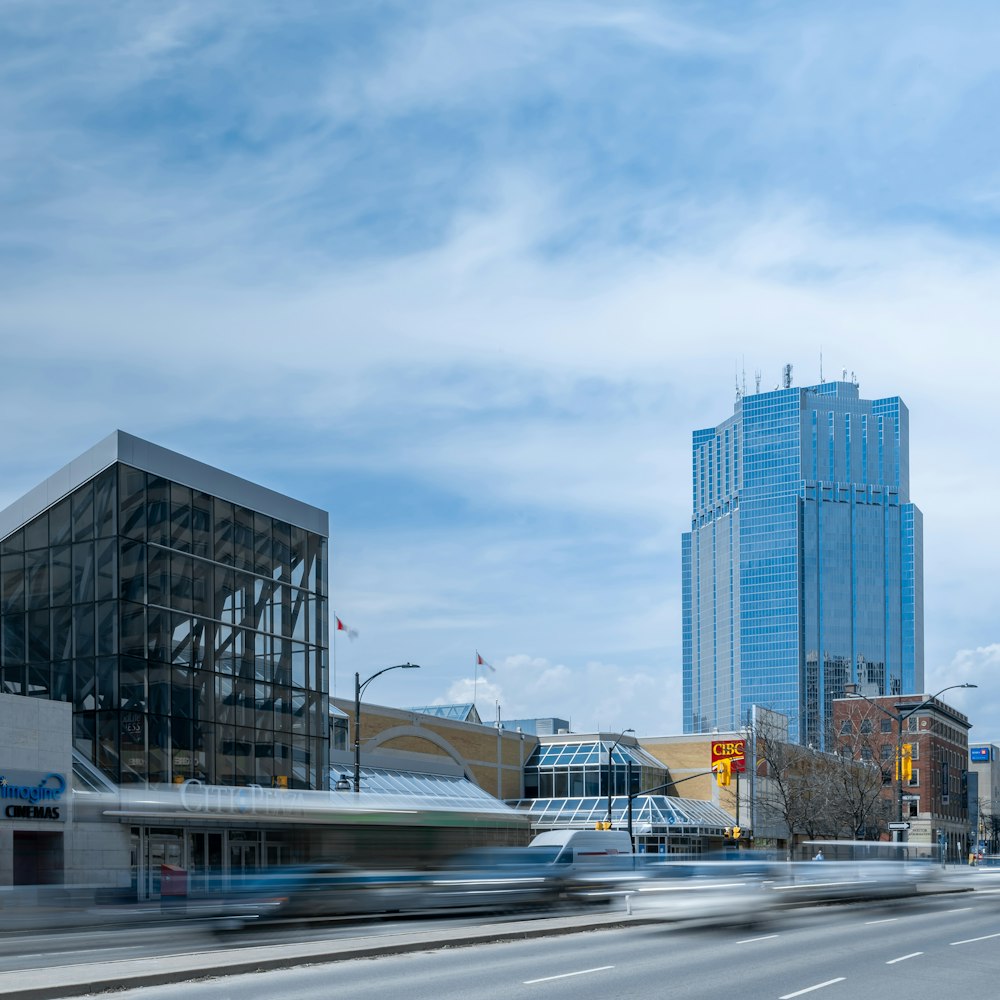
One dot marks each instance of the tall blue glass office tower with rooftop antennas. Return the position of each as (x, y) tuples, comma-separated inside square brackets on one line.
[(803, 568)]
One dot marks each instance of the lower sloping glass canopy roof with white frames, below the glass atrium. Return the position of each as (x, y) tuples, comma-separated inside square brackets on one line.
[(652, 812)]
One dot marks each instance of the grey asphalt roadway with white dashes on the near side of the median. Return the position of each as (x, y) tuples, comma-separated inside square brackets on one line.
[(858, 952)]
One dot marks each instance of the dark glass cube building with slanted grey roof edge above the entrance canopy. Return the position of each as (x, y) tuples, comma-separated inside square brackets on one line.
[(180, 609)]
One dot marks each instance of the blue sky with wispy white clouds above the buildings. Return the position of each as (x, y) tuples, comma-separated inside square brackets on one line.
[(467, 276)]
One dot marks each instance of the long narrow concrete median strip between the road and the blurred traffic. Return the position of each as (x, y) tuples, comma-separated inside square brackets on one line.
[(102, 975)]
